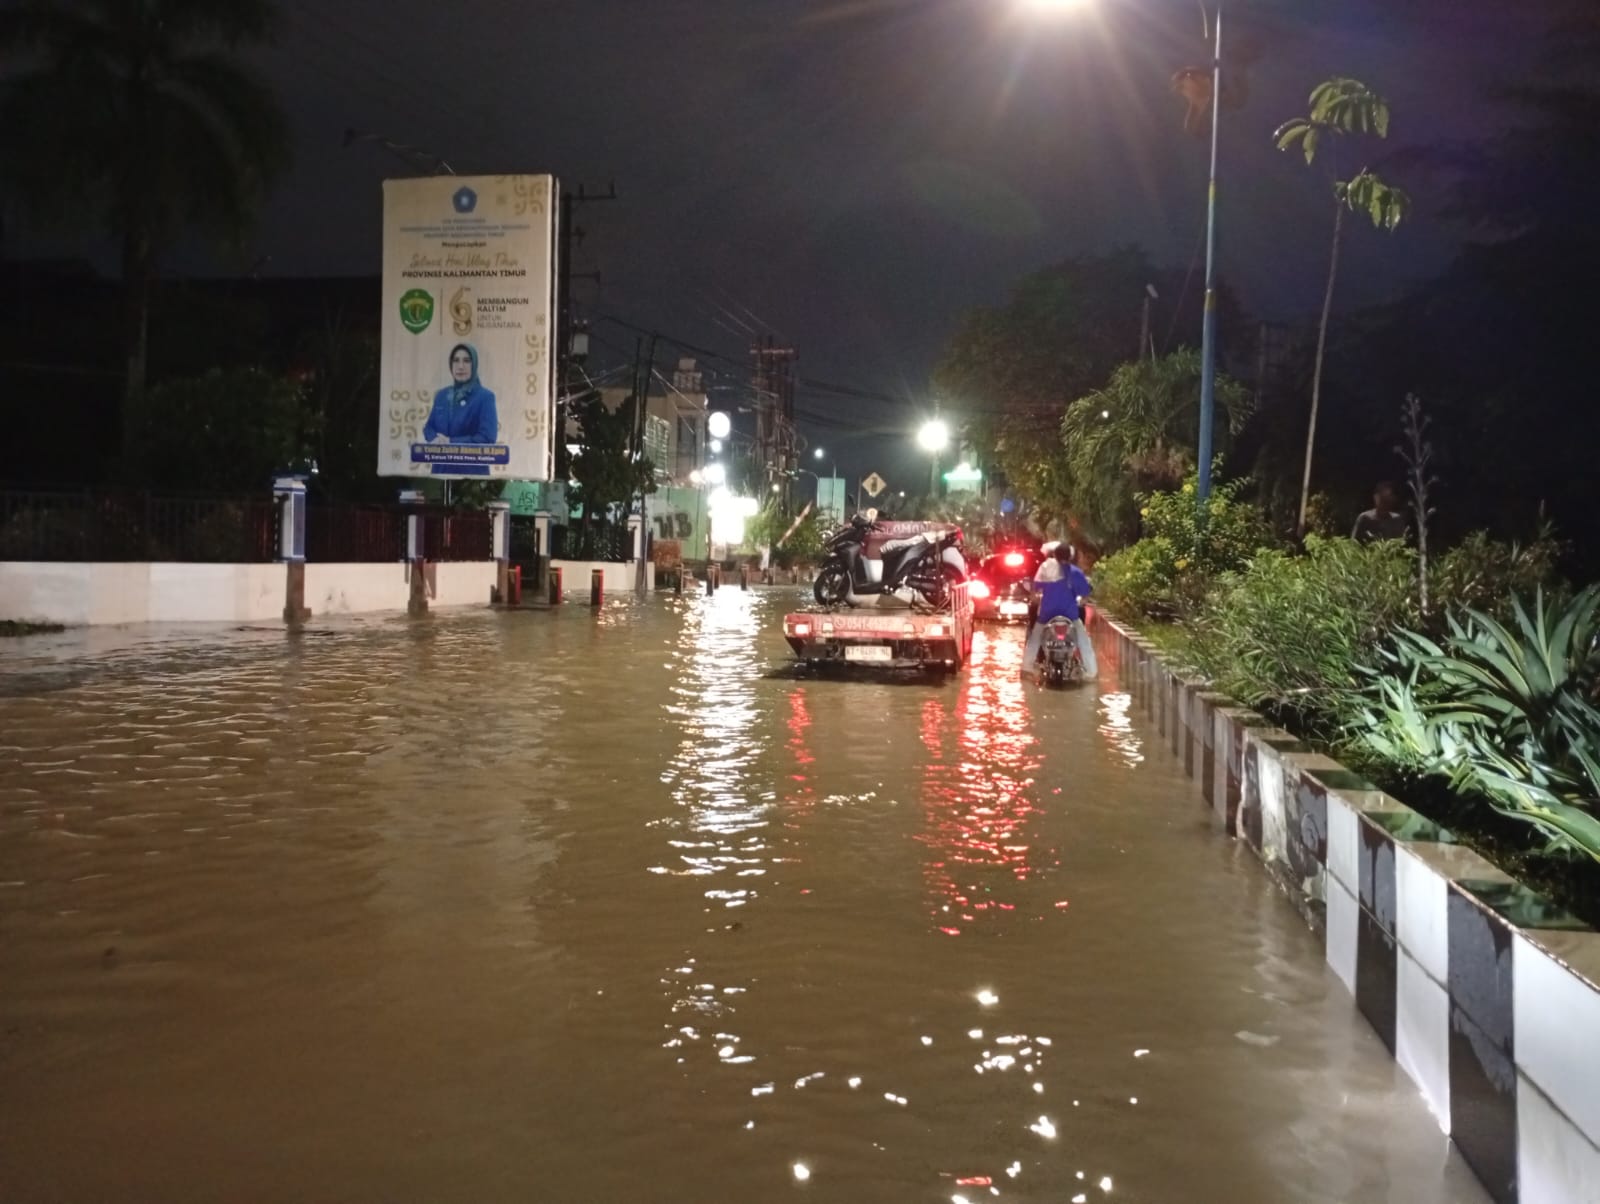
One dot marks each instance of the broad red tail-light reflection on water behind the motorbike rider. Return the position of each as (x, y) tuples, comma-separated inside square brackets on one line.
[(978, 806)]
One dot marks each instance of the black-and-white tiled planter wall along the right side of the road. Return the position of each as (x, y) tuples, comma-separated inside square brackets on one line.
[(1487, 995)]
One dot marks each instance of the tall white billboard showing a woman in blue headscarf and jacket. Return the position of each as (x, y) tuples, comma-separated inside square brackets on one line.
[(468, 377)]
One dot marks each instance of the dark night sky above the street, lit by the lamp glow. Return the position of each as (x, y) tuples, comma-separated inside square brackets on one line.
[(852, 175)]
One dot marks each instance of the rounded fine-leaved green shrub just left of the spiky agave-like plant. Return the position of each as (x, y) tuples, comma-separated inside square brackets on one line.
[(1292, 633)]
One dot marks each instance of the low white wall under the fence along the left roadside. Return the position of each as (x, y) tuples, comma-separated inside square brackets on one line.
[(90, 595)]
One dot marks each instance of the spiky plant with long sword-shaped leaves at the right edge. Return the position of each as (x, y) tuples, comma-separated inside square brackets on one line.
[(1506, 713)]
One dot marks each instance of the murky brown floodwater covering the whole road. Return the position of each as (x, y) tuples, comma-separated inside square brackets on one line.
[(559, 907)]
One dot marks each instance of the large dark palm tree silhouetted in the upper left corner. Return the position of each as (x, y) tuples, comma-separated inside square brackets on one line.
[(134, 118)]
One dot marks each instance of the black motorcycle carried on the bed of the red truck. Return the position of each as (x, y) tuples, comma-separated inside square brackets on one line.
[(911, 564)]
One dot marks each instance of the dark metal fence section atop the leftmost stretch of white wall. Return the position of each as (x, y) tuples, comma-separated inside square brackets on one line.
[(137, 526)]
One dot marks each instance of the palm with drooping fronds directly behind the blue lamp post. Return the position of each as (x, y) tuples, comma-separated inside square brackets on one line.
[(1140, 435)]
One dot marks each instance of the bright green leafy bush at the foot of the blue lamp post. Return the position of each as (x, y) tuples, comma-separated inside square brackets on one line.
[(1167, 574)]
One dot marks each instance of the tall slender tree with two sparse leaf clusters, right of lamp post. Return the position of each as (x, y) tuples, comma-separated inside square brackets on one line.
[(1340, 106)]
